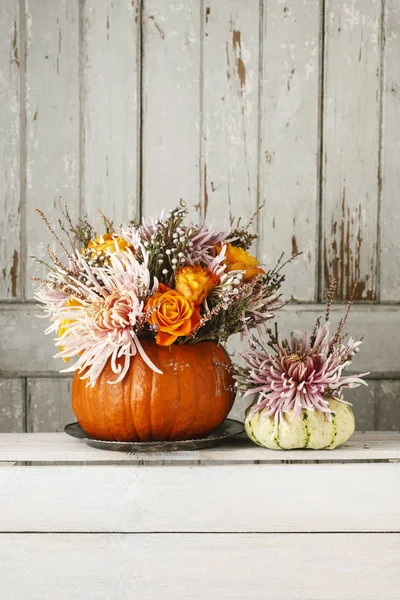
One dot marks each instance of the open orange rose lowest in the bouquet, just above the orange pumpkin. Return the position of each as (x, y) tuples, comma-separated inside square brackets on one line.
[(175, 316)]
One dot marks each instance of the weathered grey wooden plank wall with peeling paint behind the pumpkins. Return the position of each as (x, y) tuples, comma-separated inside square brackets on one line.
[(130, 105)]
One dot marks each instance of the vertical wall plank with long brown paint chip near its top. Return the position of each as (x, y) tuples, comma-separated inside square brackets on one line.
[(230, 110)]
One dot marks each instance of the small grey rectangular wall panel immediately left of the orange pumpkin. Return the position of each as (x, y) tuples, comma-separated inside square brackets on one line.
[(49, 404)]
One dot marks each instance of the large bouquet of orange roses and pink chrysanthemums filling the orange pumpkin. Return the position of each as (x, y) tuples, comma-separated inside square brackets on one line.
[(165, 279)]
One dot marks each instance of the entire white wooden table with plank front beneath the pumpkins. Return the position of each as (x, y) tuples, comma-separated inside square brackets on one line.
[(232, 522)]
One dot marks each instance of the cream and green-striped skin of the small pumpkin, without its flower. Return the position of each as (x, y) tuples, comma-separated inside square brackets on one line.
[(314, 430)]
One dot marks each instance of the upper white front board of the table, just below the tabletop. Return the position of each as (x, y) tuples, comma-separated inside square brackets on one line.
[(203, 498)]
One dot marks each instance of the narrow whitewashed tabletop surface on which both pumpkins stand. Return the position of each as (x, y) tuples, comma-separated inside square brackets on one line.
[(56, 447)]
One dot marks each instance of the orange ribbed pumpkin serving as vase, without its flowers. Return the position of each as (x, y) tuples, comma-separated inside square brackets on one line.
[(191, 398)]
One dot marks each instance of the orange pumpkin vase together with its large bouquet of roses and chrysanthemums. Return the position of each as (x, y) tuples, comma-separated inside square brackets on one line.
[(144, 310)]
